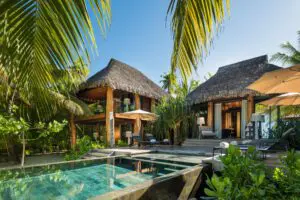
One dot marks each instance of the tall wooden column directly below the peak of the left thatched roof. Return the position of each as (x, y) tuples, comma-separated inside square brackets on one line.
[(109, 108)]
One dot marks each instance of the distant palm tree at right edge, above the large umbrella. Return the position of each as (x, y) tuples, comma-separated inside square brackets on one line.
[(292, 55)]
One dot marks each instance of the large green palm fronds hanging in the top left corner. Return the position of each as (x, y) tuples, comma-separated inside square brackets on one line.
[(39, 37)]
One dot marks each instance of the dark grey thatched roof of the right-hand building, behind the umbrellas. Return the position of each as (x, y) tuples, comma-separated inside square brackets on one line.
[(231, 81)]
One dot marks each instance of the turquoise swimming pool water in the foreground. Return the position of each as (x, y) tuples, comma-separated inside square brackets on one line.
[(81, 179)]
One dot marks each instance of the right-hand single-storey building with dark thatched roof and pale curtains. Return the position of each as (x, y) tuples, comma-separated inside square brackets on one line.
[(224, 102)]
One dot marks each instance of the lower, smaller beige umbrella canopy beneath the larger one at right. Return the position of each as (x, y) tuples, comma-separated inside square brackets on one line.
[(289, 99)]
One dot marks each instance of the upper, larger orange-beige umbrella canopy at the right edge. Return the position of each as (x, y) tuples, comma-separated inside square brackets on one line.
[(279, 81)]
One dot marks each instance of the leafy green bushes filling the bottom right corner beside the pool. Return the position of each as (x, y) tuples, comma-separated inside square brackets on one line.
[(245, 177)]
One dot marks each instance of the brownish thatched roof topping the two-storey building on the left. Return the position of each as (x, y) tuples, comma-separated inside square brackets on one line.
[(121, 76)]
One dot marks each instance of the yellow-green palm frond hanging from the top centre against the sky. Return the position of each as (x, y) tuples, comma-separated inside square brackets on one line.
[(194, 23)]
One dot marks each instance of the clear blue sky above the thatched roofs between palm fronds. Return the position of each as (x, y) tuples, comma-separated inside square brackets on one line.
[(140, 36)]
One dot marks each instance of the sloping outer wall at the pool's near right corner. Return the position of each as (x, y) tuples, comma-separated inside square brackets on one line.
[(178, 185)]
